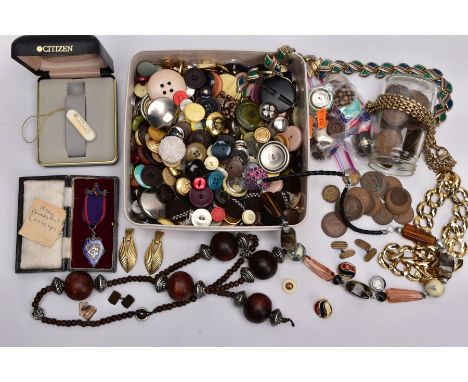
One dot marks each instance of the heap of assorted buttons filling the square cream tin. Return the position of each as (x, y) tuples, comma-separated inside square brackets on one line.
[(204, 138)]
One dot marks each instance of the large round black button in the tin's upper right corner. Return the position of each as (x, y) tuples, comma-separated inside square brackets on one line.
[(280, 92)]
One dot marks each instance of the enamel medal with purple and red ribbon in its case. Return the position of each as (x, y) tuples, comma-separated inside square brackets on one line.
[(94, 211)]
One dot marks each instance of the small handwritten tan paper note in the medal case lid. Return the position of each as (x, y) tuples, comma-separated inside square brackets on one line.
[(43, 223)]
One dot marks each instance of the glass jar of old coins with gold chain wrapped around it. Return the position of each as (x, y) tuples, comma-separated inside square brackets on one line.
[(397, 138)]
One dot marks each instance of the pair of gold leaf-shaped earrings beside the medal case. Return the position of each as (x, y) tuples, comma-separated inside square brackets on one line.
[(153, 255)]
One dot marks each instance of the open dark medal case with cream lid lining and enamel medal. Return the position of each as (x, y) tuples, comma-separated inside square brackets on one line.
[(90, 203)]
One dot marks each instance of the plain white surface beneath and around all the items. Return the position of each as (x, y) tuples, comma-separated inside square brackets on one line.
[(214, 320)]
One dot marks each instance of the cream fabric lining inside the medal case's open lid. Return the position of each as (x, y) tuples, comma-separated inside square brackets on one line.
[(33, 255)]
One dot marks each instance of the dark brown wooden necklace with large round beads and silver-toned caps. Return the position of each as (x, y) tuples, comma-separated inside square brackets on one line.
[(224, 246)]
